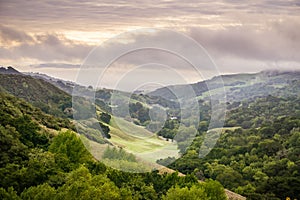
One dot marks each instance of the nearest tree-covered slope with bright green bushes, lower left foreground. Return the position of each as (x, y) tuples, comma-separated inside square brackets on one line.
[(42, 158)]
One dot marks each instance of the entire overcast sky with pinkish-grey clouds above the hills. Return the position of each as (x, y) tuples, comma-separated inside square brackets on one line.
[(56, 37)]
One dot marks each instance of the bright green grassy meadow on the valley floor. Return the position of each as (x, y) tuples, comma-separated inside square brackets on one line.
[(145, 145)]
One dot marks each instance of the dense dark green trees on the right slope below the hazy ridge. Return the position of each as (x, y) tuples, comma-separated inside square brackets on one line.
[(259, 156)]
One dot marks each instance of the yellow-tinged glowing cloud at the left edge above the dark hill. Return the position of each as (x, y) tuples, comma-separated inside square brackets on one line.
[(46, 47)]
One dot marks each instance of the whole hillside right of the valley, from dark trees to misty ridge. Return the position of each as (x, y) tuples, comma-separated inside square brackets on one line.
[(259, 146)]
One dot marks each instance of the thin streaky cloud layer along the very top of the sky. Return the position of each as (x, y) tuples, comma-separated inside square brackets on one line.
[(114, 15)]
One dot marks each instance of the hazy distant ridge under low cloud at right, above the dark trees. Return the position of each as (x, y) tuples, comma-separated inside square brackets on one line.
[(237, 86)]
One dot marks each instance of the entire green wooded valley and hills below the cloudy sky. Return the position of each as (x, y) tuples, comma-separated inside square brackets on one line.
[(257, 154)]
